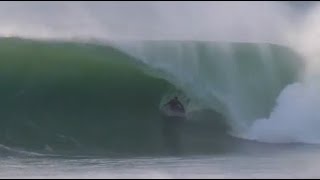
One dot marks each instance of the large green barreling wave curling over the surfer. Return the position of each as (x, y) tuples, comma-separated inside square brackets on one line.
[(61, 95)]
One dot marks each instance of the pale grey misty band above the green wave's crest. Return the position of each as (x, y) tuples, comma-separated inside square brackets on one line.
[(214, 21)]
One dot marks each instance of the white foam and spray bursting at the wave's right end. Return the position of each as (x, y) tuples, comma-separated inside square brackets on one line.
[(296, 116)]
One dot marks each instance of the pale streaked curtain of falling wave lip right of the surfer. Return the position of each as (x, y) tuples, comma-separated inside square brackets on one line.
[(238, 80)]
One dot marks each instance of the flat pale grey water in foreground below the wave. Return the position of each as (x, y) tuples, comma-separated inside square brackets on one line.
[(276, 162)]
